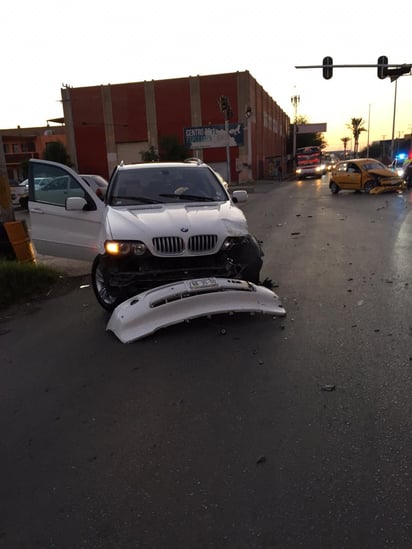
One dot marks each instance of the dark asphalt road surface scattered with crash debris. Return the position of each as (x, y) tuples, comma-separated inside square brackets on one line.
[(237, 432)]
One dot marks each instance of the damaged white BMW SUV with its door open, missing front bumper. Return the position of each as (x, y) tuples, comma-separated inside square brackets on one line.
[(160, 223)]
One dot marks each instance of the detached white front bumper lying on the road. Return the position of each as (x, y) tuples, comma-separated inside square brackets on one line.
[(171, 304)]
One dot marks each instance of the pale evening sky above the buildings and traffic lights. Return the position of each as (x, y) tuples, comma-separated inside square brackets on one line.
[(47, 44)]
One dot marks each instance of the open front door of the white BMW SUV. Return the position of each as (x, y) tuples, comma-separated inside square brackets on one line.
[(65, 214)]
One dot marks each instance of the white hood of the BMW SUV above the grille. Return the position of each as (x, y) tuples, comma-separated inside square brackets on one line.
[(139, 222)]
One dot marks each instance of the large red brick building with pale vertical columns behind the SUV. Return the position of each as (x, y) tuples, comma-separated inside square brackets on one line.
[(110, 123)]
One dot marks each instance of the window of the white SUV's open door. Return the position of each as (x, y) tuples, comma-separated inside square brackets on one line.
[(58, 187)]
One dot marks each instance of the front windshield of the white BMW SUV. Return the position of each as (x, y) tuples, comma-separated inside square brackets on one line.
[(169, 184)]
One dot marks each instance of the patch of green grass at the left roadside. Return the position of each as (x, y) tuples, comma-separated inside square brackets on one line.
[(19, 281)]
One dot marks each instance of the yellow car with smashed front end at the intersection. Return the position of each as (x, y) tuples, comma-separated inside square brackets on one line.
[(364, 174)]
